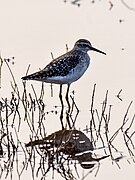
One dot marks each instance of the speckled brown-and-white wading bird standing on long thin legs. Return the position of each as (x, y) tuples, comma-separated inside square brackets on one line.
[(68, 67)]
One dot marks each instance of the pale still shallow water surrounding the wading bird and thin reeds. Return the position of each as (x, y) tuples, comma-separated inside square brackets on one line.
[(108, 123)]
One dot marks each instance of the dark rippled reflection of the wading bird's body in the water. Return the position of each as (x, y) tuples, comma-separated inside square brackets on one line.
[(73, 143)]
